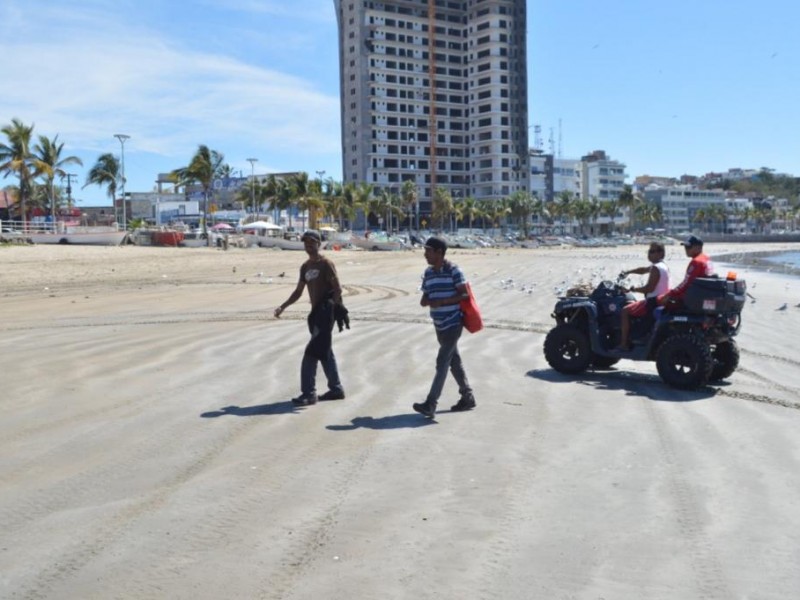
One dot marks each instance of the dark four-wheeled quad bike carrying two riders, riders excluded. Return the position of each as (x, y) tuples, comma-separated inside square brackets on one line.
[(691, 344)]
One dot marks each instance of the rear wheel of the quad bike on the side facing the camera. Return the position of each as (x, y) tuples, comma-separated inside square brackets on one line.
[(684, 361)]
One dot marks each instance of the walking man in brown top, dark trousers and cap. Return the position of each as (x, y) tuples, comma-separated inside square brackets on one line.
[(318, 273)]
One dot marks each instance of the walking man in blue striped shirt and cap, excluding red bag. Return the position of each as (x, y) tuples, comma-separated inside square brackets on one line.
[(443, 288)]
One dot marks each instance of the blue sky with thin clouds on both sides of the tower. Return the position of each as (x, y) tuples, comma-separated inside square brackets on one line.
[(667, 88)]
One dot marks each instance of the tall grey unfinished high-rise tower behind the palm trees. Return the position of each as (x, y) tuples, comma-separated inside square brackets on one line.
[(435, 91)]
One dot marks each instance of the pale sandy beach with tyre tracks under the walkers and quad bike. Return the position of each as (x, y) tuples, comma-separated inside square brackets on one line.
[(148, 448)]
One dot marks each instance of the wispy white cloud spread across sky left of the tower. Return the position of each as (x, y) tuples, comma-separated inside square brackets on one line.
[(86, 75)]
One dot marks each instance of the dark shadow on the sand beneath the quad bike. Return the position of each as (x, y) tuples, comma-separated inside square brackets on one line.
[(633, 384)]
